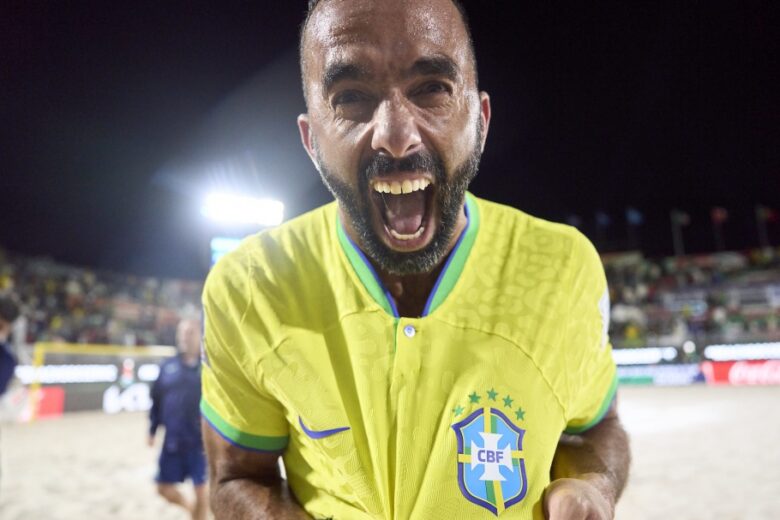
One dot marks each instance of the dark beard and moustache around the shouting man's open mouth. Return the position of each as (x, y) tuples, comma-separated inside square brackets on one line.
[(449, 197)]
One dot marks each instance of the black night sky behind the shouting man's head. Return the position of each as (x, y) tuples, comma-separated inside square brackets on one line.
[(116, 119)]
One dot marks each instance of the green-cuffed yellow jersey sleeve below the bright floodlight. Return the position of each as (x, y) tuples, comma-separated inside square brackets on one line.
[(234, 400)]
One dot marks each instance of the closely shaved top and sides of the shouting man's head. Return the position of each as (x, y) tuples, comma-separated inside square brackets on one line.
[(432, 16)]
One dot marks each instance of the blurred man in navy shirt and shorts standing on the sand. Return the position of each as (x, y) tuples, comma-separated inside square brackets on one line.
[(175, 397)]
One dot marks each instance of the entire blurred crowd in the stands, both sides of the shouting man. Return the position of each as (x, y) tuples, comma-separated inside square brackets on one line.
[(731, 297)]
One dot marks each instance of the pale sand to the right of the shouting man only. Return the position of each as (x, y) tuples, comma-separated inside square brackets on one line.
[(702, 453)]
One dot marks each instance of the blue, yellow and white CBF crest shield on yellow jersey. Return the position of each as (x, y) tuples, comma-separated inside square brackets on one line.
[(491, 466)]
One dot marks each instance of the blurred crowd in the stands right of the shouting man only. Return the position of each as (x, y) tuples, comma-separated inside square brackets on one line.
[(731, 297)]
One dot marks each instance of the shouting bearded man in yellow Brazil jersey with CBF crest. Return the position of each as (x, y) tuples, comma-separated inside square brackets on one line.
[(411, 351)]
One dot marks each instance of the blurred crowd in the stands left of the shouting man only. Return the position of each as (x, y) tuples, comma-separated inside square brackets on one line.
[(71, 304)]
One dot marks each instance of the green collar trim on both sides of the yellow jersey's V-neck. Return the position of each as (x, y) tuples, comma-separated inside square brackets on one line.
[(448, 277)]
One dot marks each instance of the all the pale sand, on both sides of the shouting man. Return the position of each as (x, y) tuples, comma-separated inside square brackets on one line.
[(700, 453)]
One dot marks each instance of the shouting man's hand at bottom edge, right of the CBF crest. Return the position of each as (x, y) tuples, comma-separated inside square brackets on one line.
[(576, 499)]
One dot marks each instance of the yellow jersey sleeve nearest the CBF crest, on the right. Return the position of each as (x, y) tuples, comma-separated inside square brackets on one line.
[(591, 371)]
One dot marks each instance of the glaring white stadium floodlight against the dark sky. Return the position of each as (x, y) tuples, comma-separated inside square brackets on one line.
[(239, 209)]
